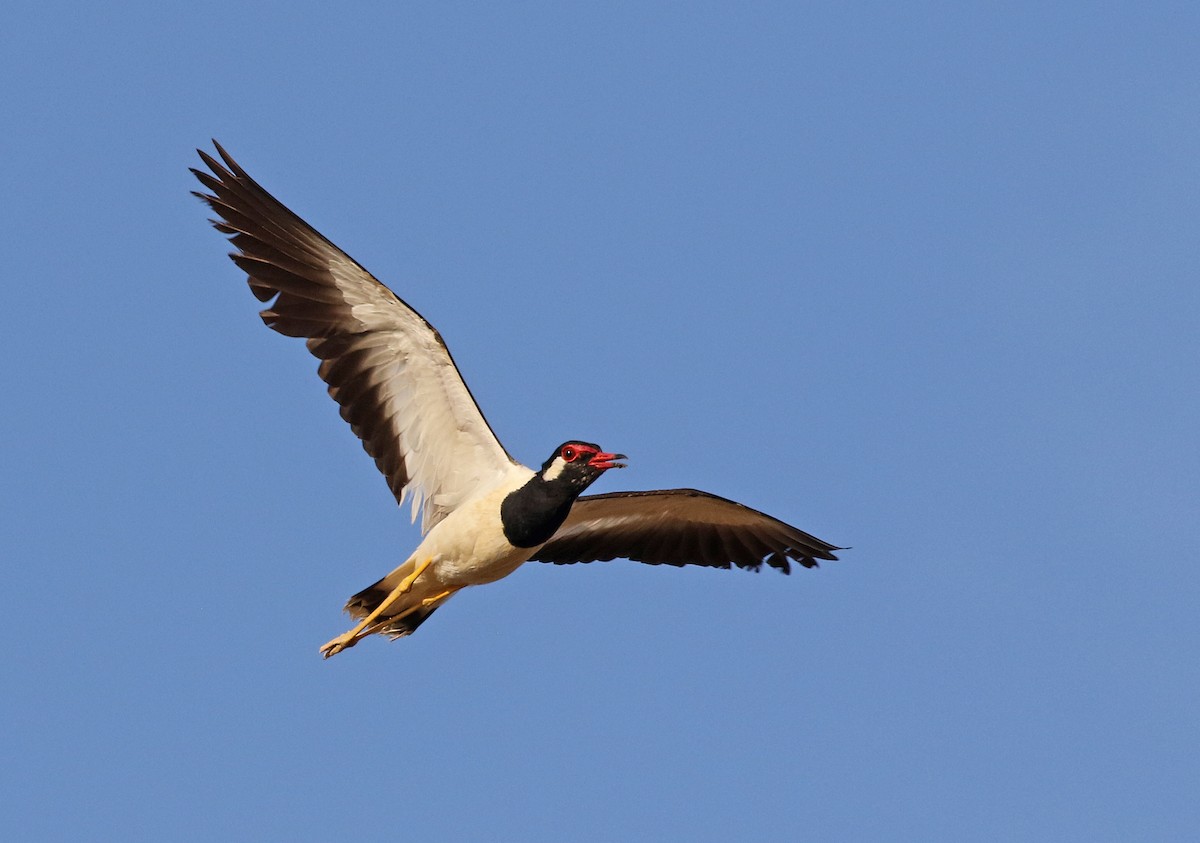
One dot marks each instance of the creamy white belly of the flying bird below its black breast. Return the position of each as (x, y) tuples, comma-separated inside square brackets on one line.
[(469, 547)]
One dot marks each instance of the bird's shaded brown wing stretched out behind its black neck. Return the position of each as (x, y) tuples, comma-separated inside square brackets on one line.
[(680, 527)]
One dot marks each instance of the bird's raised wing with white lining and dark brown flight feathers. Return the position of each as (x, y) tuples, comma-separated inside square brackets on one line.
[(386, 366)]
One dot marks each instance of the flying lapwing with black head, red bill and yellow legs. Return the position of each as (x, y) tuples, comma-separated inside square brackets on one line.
[(483, 513)]
